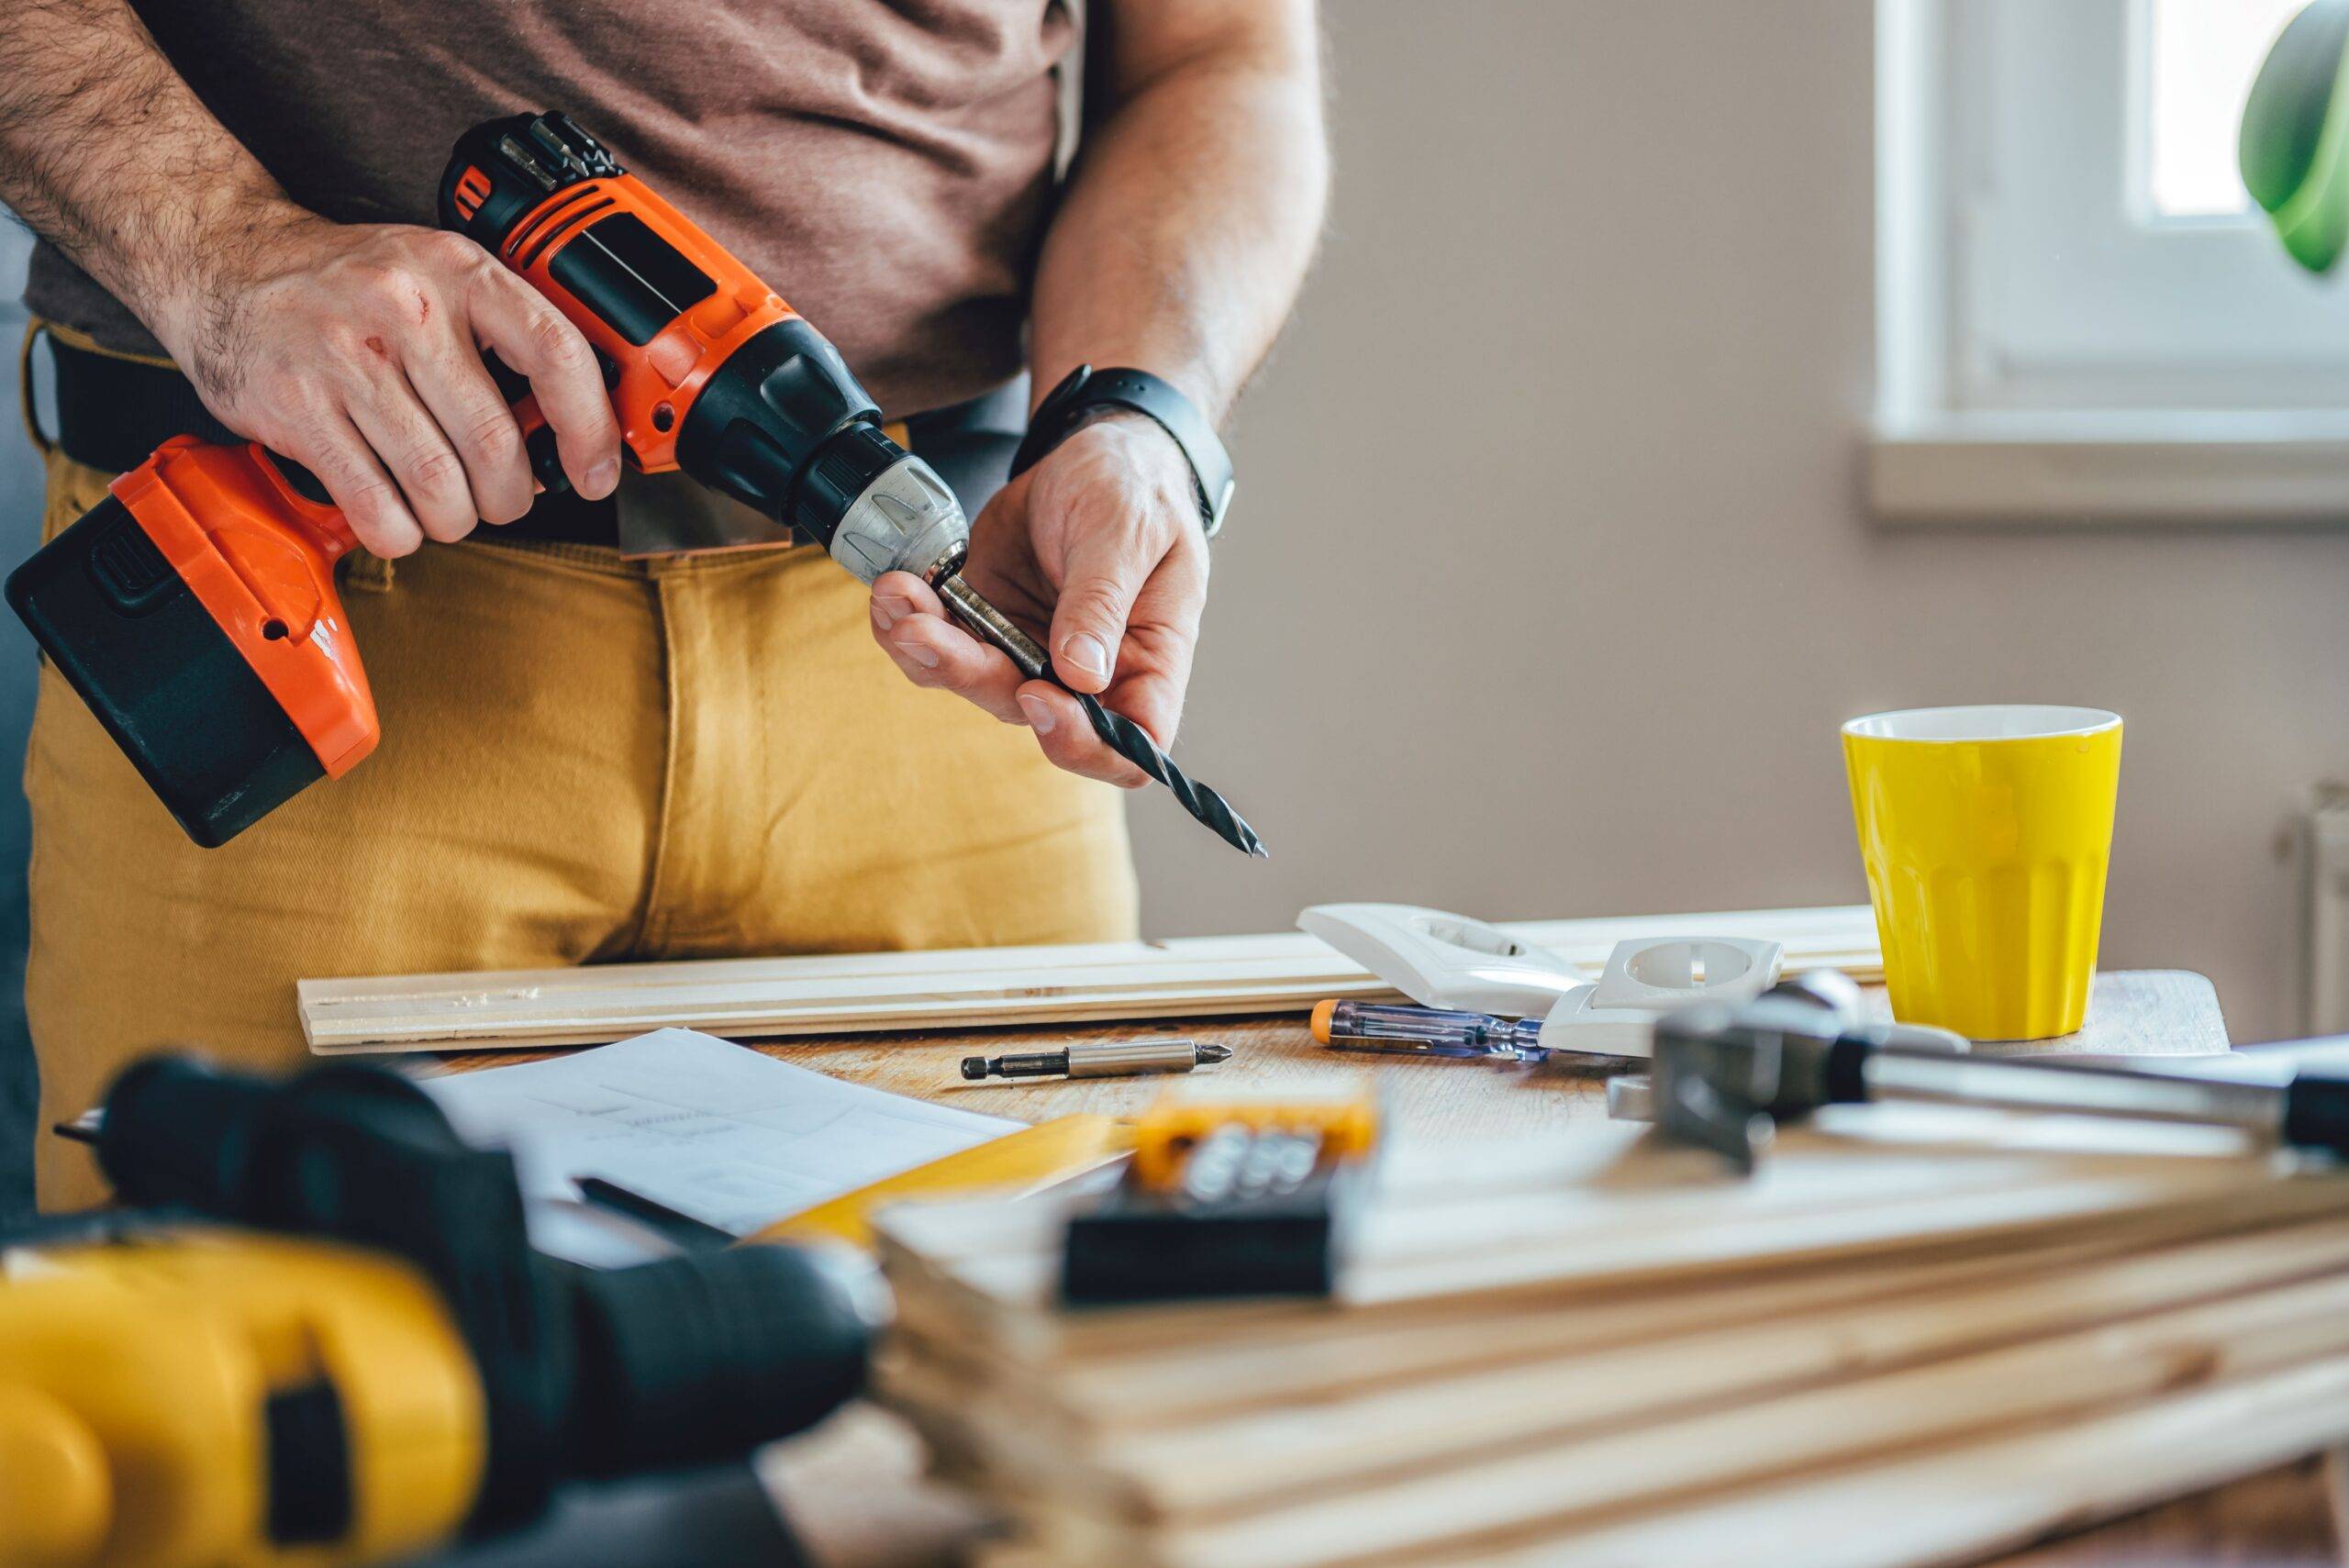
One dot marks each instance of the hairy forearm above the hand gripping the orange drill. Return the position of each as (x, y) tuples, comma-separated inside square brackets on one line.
[(114, 158)]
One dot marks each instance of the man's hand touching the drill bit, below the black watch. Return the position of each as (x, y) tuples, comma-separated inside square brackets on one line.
[(1098, 550)]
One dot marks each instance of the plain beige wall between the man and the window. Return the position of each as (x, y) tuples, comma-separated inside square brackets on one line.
[(1549, 579)]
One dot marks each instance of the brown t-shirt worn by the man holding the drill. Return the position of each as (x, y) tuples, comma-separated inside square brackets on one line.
[(884, 168)]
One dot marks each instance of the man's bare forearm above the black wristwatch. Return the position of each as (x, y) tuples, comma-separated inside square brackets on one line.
[(1194, 203)]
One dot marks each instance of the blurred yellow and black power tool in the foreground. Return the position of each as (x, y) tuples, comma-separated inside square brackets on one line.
[(328, 1341)]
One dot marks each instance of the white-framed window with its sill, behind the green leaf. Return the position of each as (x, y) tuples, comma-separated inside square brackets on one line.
[(2080, 311)]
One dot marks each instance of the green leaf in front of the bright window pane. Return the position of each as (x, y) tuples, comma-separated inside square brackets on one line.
[(2296, 130)]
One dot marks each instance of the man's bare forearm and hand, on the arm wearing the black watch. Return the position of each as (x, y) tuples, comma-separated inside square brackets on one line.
[(1178, 245)]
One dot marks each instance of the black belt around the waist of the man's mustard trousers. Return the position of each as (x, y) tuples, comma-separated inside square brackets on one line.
[(112, 412)]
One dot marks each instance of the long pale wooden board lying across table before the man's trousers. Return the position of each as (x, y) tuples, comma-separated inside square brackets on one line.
[(962, 987)]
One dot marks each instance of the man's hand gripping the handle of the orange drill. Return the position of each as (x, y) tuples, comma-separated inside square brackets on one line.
[(358, 353)]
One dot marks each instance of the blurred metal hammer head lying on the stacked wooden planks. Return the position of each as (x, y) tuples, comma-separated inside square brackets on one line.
[(1728, 1076)]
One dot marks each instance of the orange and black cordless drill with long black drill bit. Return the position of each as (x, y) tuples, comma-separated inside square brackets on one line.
[(196, 609)]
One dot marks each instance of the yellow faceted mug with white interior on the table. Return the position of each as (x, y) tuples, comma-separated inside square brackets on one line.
[(1986, 837)]
